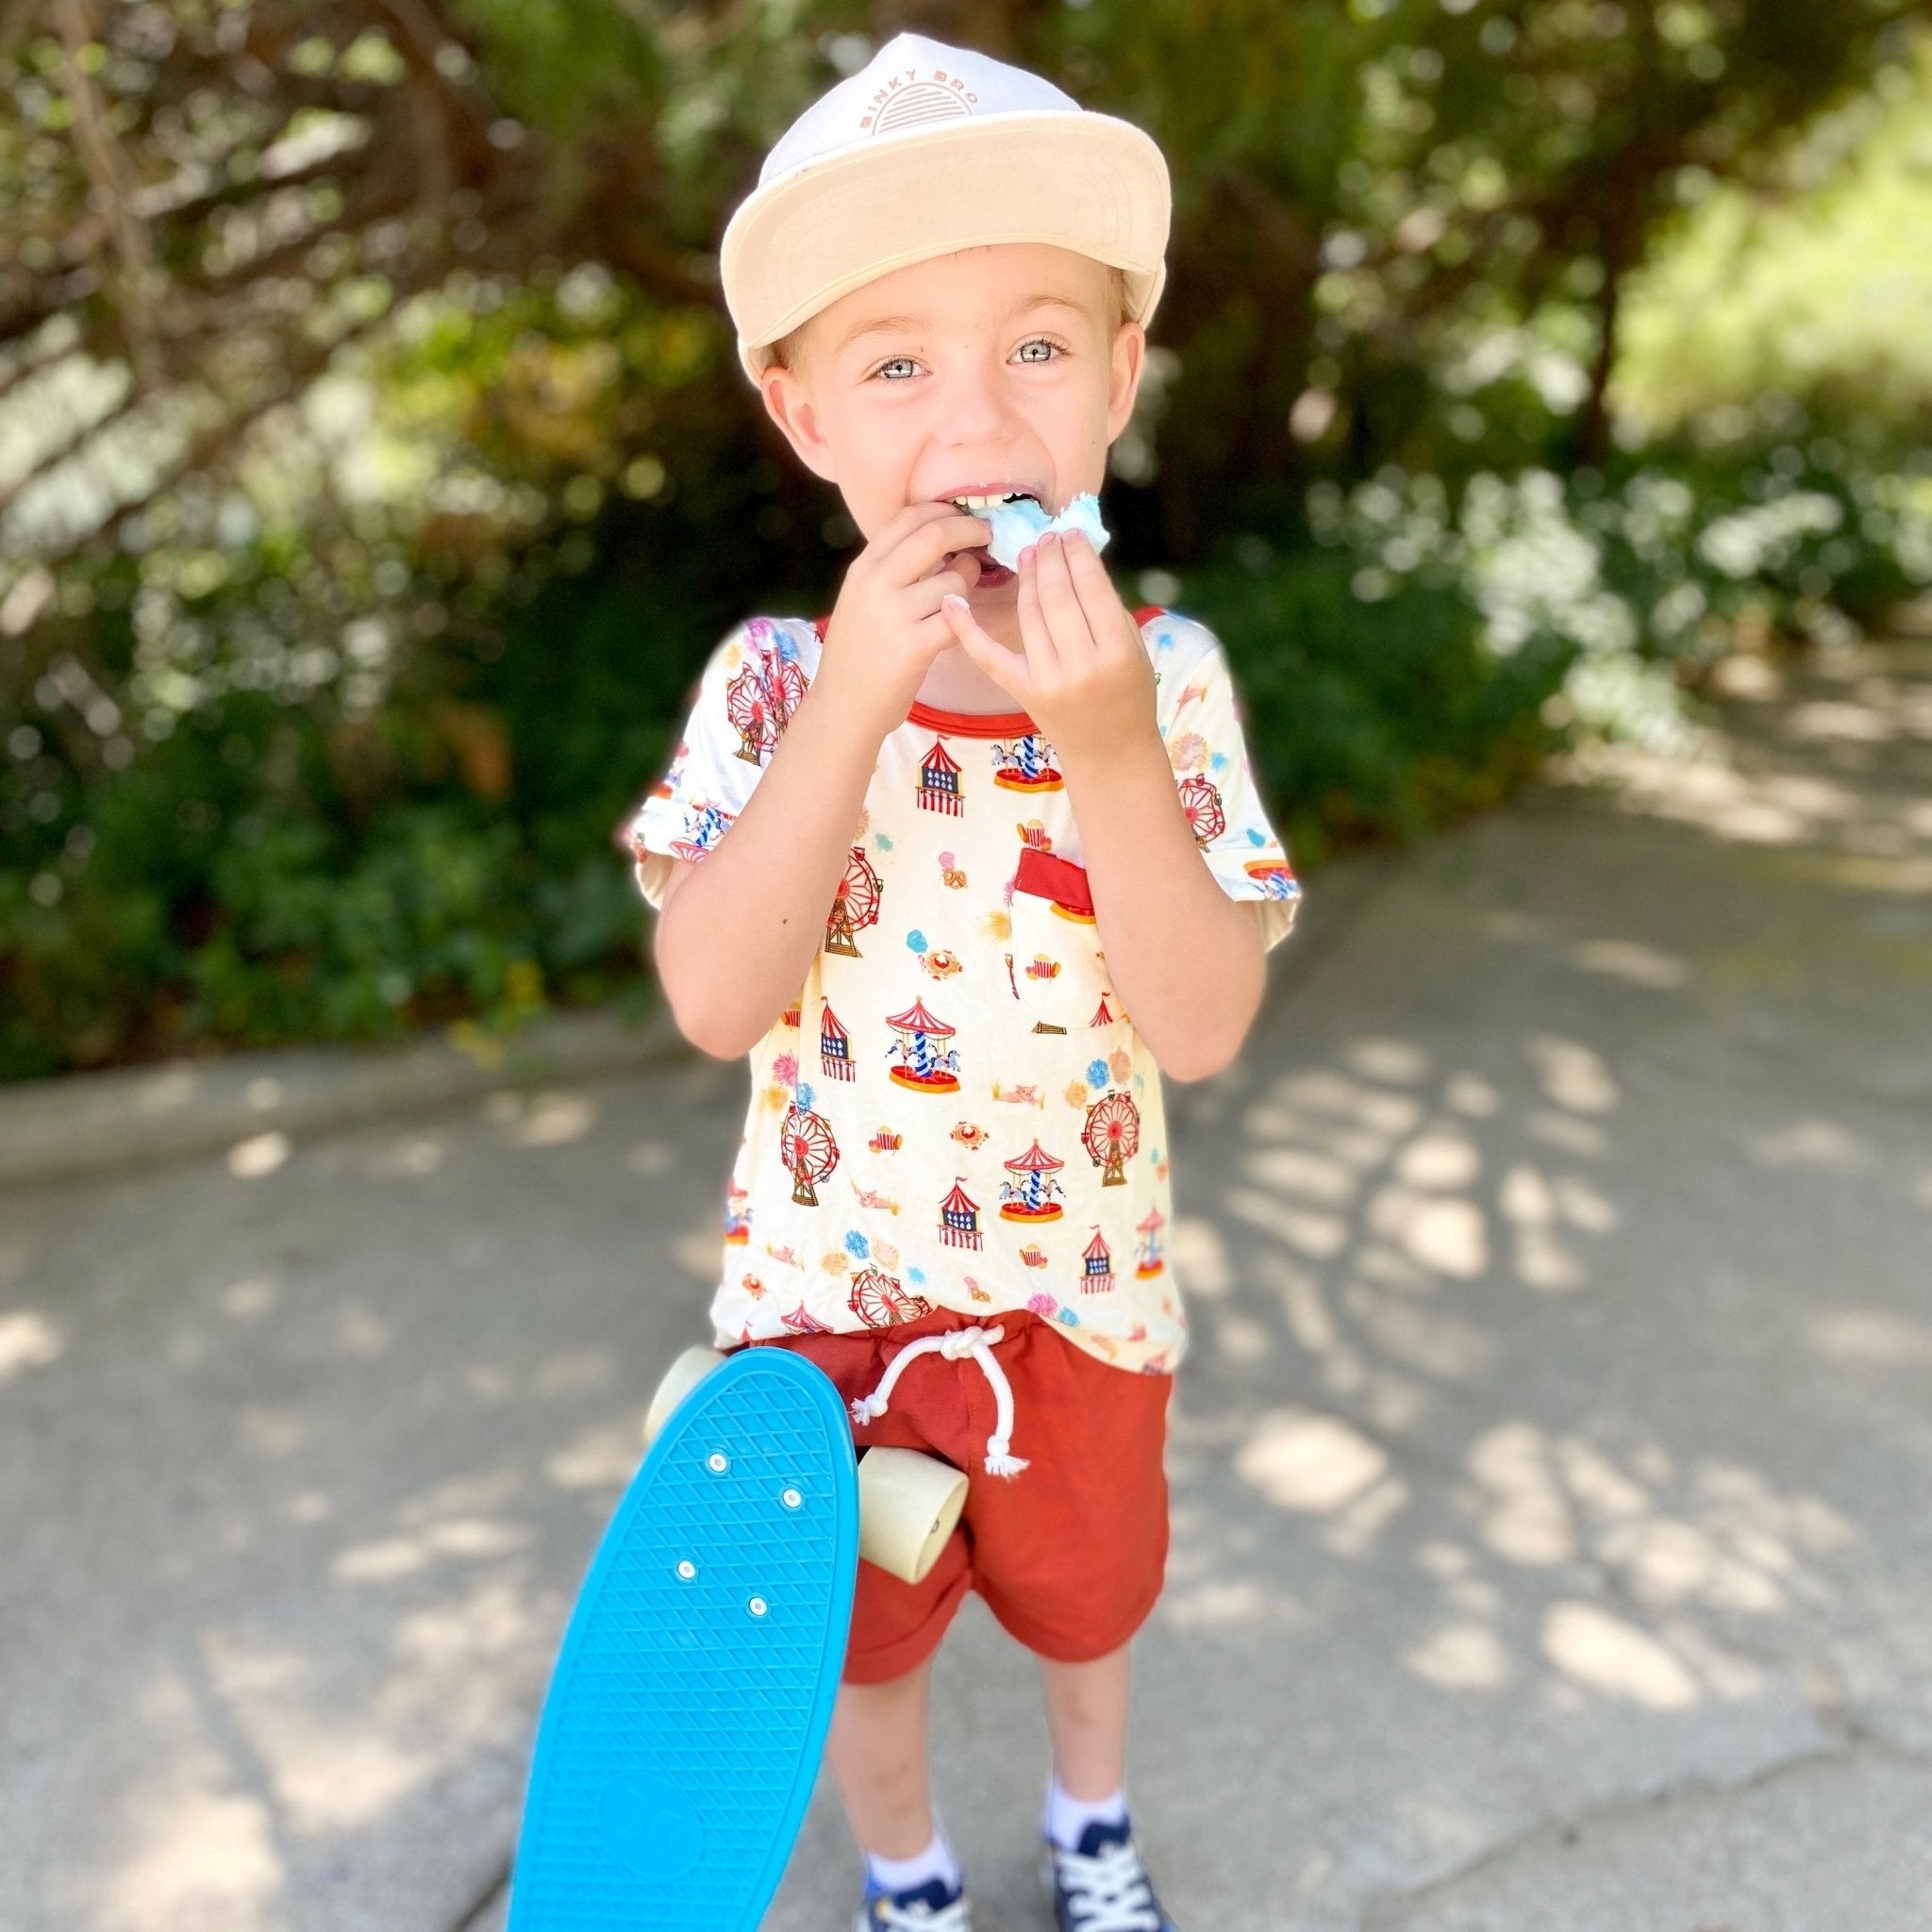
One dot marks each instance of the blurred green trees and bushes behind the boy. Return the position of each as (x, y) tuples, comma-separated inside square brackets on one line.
[(376, 470)]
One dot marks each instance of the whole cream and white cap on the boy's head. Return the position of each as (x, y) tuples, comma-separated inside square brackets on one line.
[(924, 152)]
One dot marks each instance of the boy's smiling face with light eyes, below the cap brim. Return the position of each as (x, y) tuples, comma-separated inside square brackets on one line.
[(988, 372)]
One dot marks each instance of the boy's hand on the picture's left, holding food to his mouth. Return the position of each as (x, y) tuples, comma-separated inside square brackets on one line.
[(888, 627)]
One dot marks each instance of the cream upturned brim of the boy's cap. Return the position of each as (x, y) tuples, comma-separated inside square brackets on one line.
[(1085, 183)]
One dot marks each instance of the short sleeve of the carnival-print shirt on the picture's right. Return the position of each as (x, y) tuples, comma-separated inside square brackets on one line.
[(1203, 722)]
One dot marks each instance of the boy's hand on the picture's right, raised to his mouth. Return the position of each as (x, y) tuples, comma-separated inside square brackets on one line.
[(1085, 675)]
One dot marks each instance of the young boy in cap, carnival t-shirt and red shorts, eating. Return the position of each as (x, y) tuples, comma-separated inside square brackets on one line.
[(965, 868)]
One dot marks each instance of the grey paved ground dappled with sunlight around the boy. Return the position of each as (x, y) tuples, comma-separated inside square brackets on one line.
[(1550, 1535)]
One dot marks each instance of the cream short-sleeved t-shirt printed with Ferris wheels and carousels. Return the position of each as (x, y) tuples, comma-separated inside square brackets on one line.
[(957, 1112)]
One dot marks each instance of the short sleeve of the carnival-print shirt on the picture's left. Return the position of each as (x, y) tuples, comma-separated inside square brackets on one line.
[(745, 698)]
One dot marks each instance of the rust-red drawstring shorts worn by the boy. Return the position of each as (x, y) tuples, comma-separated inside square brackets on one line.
[(1071, 1552)]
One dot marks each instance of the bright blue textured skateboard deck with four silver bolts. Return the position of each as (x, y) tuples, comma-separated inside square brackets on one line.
[(689, 1709)]
